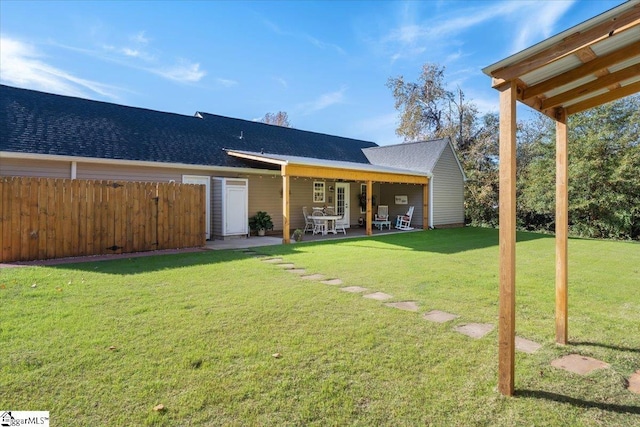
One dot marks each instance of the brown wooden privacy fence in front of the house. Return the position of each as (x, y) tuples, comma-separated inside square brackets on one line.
[(43, 218)]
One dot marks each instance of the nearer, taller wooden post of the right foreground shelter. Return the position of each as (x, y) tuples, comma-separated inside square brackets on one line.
[(507, 239)]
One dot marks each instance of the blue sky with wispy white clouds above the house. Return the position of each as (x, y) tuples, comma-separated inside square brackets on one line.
[(324, 63)]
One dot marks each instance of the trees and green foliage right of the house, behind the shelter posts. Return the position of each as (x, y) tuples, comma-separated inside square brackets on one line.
[(604, 158)]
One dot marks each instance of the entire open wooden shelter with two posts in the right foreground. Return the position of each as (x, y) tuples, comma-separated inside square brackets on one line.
[(593, 63)]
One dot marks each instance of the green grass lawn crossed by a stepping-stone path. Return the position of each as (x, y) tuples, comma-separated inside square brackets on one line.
[(196, 332)]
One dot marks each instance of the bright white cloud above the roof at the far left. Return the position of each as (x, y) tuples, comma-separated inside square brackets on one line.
[(22, 65)]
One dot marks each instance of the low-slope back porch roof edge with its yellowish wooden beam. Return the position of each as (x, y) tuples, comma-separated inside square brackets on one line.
[(332, 169)]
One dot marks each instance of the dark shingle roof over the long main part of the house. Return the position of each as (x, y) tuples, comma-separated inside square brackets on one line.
[(42, 123)]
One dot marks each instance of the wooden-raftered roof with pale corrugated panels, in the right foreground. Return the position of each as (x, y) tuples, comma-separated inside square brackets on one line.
[(588, 65)]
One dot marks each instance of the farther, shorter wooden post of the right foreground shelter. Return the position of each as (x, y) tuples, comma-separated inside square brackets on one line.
[(562, 227)]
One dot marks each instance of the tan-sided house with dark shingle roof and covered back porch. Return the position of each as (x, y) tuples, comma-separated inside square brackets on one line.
[(246, 166)]
